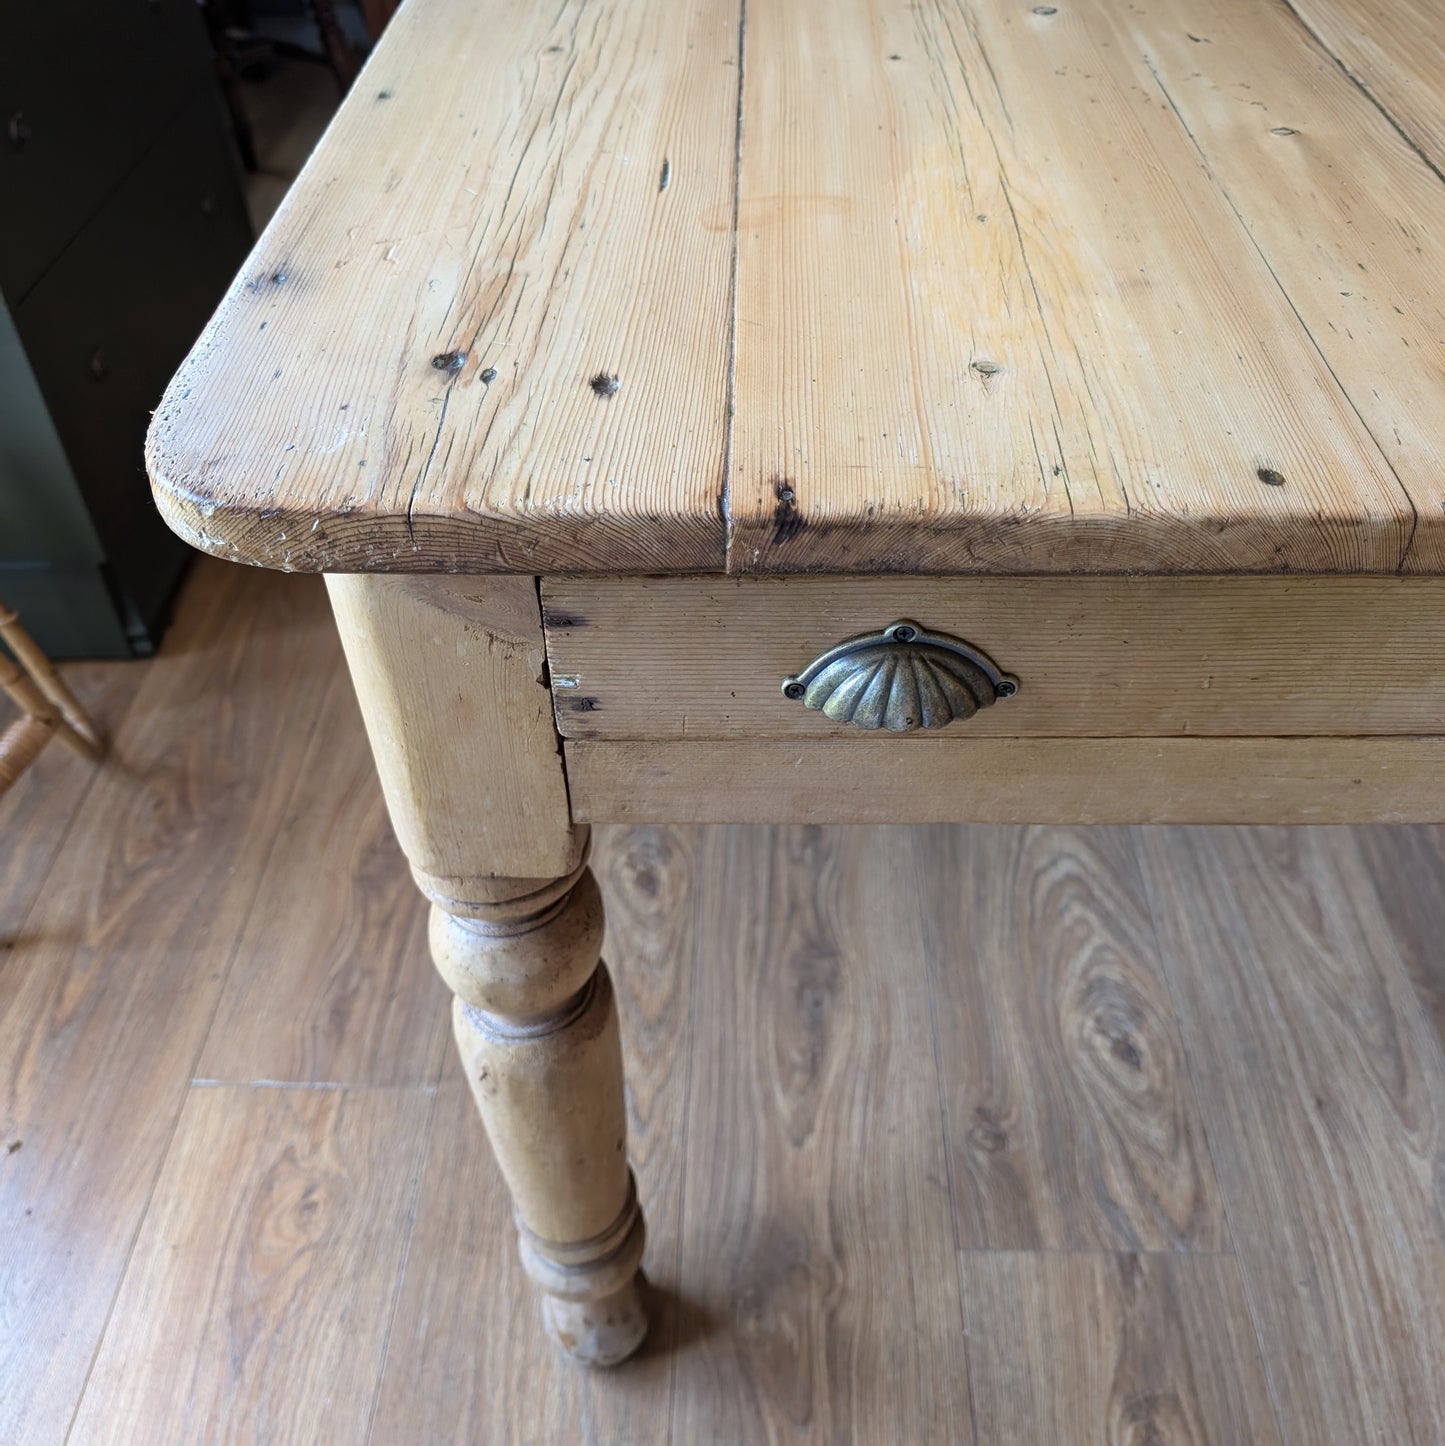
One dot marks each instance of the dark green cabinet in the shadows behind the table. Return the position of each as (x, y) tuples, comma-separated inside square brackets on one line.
[(122, 222)]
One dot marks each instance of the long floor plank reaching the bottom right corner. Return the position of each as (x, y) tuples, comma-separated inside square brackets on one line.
[(1321, 1082)]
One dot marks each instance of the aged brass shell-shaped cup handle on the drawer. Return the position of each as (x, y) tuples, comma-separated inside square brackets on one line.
[(900, 679)]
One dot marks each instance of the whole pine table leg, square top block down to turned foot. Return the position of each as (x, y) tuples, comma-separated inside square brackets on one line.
[(449, 676)]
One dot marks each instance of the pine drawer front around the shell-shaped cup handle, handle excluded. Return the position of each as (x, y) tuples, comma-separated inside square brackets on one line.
[(639, 659)]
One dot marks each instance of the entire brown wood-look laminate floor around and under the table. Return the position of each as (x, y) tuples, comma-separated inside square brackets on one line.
[(989, 1136)]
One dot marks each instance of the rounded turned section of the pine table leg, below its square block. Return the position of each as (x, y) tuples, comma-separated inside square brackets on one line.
[(537, 1029)]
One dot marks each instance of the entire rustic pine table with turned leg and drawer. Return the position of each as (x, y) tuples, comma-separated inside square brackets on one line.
[(838, 411)]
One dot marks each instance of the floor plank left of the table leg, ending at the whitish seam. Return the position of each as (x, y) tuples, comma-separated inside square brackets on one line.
[(333, 981)]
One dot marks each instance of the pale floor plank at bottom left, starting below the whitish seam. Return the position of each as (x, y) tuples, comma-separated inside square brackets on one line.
[(257, 1304)]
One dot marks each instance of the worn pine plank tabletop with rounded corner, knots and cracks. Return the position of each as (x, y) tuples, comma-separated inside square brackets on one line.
[(845, 286)]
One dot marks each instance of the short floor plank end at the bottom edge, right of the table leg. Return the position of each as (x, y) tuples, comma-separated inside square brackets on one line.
[(1114, 1351)]
